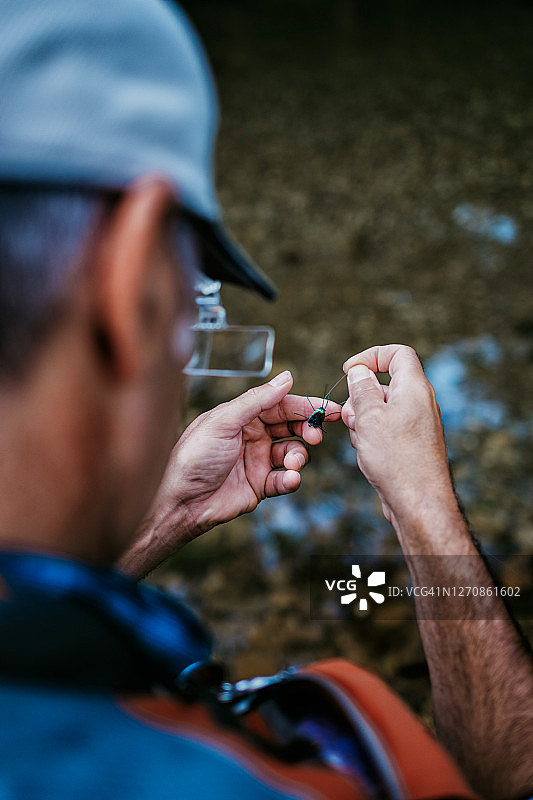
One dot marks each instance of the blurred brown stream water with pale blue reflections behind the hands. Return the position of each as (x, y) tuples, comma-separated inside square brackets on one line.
[(376, 158)]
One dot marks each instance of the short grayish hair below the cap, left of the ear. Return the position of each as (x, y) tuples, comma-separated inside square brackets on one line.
[(43, 236)]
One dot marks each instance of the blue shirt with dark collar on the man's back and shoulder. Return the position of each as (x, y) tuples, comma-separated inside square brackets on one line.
[(80, 646)]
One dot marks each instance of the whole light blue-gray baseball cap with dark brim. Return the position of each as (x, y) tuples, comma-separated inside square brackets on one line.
[(97, 93)]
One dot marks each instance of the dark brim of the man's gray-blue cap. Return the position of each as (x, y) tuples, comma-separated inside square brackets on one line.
[(223, 259)]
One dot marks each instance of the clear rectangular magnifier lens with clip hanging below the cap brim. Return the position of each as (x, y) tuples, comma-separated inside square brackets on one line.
[(222, 350)]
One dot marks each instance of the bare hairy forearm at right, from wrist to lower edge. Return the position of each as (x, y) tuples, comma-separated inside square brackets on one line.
[(481, 672)]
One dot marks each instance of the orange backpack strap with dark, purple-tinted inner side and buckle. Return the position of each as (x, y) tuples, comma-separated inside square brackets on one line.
[(331, 719)]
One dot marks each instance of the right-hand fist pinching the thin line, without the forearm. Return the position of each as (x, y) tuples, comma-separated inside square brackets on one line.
[(397, 432)]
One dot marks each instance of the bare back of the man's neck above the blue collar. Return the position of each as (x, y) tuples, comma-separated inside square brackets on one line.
[(49, 465)]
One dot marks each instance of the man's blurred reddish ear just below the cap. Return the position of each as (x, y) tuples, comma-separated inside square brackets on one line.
[(124, 285)]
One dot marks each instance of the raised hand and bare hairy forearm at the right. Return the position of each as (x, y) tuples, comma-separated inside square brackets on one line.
[(481, 674)]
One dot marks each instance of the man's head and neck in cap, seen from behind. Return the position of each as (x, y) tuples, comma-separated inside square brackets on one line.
[(106, 140)]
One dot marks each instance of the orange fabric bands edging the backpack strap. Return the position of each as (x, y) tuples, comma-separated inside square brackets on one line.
[(425, 770)]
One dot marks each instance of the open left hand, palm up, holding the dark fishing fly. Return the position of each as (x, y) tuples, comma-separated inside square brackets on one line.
[(224, 464)]
